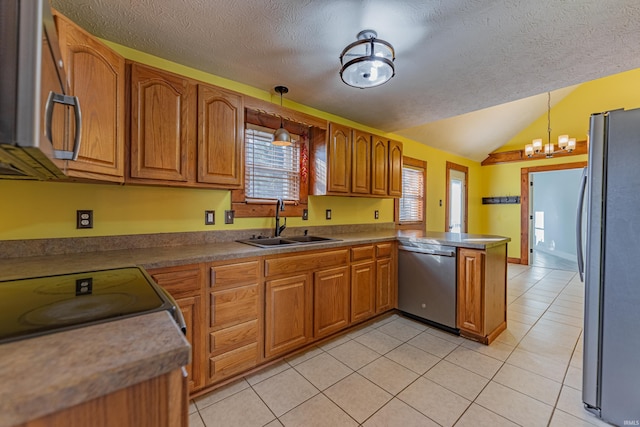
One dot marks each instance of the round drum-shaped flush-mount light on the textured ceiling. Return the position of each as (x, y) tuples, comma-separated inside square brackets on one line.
[(369, 61)]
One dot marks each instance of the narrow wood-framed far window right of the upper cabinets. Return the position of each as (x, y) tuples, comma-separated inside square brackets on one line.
[(410, 208)]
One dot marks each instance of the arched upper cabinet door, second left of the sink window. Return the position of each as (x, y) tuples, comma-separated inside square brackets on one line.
[(162, 108)]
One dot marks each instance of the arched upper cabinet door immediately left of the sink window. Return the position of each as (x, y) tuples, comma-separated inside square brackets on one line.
[(220, 137)]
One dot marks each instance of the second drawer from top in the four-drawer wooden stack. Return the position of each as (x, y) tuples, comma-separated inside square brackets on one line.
[(233, 306)]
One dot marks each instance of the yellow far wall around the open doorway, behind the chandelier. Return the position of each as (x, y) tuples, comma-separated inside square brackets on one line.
[(570, 116)]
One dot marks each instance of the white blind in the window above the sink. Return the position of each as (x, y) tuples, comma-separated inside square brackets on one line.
[(271, 171)]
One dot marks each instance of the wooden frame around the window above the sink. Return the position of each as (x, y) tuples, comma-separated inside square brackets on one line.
[(253, 208)]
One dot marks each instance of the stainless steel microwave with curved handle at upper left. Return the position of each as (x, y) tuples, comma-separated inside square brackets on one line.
[(33, 86)]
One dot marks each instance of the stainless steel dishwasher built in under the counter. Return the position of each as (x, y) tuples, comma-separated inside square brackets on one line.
[(427, 283)]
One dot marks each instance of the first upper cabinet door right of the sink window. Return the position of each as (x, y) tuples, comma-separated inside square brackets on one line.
[(339, 159)]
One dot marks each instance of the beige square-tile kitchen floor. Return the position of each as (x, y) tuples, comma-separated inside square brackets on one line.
[(399, 372)]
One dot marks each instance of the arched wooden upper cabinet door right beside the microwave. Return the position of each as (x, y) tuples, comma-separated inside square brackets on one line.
[(96, 75)]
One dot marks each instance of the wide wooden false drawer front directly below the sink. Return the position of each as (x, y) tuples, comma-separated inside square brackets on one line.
[(306, 262)]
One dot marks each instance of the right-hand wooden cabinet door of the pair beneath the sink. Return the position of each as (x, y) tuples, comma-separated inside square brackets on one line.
[(330, 301)]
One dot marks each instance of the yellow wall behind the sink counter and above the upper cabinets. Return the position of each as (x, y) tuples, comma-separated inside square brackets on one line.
[(33, 210)]
